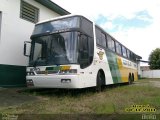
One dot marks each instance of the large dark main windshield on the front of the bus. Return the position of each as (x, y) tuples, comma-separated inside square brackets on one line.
[(54, 49)]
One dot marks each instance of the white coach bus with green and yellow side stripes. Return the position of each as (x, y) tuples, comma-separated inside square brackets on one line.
[(73, 52)]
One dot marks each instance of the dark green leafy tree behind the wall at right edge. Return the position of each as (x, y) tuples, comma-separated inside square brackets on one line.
[(154, 59)]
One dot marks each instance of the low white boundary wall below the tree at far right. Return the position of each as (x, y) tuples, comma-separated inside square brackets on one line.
[(151, 74)]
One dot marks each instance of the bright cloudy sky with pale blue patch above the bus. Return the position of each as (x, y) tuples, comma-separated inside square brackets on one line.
[(134, 23)]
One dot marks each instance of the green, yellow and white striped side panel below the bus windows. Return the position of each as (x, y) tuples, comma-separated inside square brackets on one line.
[(120, 68)]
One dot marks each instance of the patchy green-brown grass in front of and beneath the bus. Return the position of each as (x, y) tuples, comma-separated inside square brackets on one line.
[(112, 101)]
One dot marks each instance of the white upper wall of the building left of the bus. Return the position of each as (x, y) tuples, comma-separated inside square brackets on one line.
[(14, 31)]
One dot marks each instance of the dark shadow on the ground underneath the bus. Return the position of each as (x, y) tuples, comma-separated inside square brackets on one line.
[(65, 92)]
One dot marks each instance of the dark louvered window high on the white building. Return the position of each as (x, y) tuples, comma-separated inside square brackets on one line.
[(29, 12)]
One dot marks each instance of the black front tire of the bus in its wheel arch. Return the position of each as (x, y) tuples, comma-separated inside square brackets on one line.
[(100, 81)]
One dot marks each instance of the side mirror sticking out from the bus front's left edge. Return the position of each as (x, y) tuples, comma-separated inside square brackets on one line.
[(27, 46)]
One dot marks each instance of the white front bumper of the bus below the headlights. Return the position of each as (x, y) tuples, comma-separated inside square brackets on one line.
[(54, 81)]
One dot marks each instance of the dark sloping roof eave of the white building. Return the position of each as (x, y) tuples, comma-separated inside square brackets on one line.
[(54, 7)]
